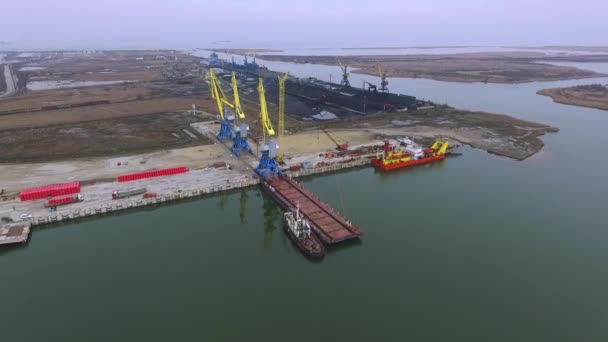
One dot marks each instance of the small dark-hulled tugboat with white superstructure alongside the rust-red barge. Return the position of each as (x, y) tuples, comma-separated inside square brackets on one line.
[(300, 232)]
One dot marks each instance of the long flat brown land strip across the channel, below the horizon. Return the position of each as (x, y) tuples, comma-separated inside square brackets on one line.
[(474, 67)]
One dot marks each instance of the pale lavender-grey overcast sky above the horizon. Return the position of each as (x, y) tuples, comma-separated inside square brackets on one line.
[(186, 24)]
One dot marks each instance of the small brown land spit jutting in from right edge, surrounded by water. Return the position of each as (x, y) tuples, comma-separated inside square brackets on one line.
[(592, 96)]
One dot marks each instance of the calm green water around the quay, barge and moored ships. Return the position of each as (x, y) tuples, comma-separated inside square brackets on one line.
[(477, 248)]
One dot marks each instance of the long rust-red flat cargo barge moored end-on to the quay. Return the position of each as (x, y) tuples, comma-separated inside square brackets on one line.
[(329, 226)]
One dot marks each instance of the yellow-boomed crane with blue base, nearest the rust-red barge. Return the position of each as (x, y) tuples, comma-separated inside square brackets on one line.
[(268, 165)]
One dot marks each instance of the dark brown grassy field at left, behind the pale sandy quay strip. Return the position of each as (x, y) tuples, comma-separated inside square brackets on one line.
[(85, 139)]
